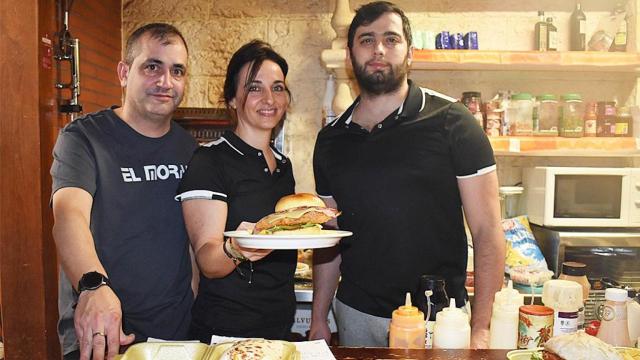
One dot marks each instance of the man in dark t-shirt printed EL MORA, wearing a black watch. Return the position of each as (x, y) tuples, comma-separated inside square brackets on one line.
[(121, 239)]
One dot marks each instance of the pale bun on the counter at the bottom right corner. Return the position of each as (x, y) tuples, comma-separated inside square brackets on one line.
[(578, 346)]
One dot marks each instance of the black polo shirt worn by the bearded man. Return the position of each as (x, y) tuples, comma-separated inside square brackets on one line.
[(397, 189)]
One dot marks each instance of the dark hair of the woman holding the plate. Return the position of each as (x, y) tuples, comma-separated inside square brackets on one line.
[(255, 53)]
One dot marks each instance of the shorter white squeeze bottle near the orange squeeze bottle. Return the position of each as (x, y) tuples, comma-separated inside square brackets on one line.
[(452, 330)]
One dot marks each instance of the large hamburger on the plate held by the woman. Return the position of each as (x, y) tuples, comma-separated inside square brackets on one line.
[(296, 214)]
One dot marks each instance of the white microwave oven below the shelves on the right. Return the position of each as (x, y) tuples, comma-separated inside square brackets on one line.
[(582, 196)]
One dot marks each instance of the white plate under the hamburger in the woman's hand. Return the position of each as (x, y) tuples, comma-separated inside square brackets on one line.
[(327, 238)]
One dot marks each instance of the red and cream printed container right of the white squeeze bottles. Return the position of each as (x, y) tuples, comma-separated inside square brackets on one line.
[(535, 326)]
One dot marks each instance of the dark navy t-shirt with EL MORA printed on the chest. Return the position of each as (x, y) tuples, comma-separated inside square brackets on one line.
[(137, 226)]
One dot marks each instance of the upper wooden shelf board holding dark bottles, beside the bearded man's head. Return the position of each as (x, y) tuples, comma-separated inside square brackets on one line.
[(525, 60)]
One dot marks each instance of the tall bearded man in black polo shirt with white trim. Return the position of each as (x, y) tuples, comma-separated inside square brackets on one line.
[(400, 164)]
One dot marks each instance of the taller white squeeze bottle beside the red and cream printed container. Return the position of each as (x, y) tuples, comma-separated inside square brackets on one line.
[(504, 318)]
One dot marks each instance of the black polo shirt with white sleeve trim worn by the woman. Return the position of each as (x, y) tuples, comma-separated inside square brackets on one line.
[(230, 170)]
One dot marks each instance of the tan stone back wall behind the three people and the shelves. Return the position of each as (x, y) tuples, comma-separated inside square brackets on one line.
[(300, 30)]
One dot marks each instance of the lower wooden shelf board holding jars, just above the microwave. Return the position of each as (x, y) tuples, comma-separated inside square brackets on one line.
[(559, 146)]
